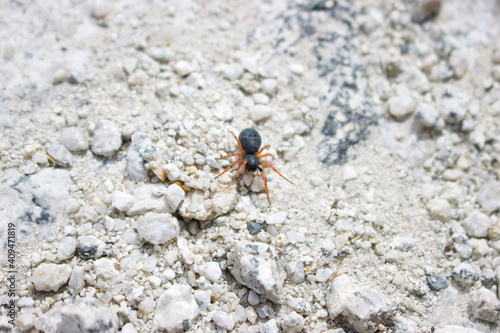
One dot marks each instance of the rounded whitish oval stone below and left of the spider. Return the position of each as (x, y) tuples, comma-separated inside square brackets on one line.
[(157, 228)]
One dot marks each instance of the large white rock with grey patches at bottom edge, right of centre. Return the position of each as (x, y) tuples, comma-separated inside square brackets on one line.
[(361, 307)]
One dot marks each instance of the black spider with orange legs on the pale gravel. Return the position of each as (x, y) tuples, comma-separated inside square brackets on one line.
[(249, 143)]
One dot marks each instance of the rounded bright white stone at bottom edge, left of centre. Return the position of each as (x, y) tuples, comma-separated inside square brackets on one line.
[(176, 309)]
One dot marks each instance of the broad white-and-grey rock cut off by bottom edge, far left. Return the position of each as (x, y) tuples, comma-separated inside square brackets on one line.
[(87, 315)]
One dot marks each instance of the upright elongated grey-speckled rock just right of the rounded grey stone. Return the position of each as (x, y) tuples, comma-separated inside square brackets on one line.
[(140, 149)]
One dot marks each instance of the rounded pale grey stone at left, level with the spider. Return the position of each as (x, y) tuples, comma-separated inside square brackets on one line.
[(107, 138)]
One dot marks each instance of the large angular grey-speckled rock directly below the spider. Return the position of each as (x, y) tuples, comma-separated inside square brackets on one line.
[(257, 266)]
